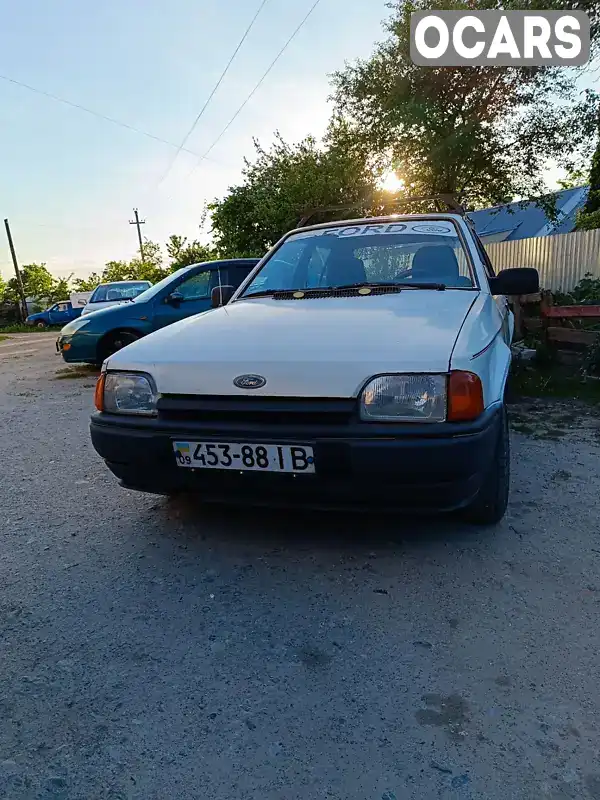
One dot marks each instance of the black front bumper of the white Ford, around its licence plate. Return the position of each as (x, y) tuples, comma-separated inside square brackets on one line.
[(420, 467)]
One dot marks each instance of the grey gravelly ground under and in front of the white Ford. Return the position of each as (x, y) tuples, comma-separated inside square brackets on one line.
[(153, 650)]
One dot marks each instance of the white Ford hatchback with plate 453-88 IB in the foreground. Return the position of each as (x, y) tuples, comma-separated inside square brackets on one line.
[(362, 362)]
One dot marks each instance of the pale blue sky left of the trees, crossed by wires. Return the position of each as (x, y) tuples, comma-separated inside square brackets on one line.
[(69, 181)]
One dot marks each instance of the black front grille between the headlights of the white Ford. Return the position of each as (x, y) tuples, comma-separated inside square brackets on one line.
[(256, 410)]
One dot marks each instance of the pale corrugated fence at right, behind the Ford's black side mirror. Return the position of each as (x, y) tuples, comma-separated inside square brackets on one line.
[(561, 260)]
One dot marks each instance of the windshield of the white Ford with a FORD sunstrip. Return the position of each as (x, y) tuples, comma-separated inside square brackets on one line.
[(412, 253)]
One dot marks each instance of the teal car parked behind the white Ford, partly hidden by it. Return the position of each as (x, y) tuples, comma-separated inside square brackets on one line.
[(94, 337)]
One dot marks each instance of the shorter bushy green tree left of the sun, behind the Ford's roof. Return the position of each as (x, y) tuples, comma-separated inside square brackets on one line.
[(284, 183)]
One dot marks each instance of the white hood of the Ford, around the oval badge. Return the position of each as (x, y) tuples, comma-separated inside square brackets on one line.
[(304, 348)]
